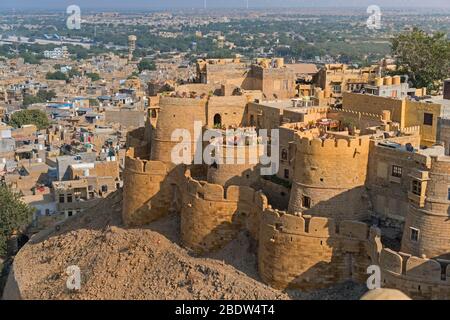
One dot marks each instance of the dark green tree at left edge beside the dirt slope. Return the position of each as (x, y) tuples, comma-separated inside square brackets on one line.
[(14, 215)]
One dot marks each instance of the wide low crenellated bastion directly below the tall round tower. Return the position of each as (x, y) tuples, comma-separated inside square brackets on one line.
[(309, 253)]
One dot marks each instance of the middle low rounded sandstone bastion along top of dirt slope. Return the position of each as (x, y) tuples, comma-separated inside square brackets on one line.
[(213, 216)]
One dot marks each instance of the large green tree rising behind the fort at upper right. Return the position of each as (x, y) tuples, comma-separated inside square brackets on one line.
[(424, 58)]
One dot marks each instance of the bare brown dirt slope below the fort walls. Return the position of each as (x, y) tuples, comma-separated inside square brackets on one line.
[(118, 263)]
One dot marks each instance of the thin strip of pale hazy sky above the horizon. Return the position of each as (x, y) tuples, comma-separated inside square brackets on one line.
[(158, 4)]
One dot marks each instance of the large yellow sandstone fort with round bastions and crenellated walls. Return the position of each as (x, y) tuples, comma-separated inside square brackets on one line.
[(346, 175)]
